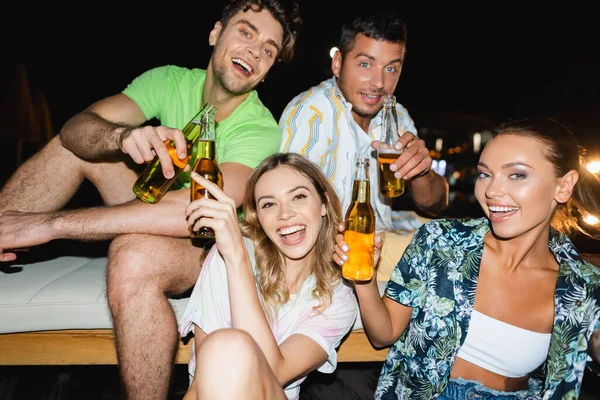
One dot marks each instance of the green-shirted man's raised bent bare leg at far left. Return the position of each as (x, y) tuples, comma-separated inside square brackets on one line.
[(50, 178)]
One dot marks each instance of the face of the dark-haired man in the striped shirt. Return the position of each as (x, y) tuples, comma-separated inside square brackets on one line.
[(368, 73)]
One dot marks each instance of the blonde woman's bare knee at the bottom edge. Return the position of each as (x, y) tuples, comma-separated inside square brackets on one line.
[(230, 365)]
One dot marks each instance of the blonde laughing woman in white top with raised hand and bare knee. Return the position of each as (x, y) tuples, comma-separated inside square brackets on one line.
[(270, 305)]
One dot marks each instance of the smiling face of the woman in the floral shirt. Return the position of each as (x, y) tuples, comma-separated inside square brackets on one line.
[(517, 186)]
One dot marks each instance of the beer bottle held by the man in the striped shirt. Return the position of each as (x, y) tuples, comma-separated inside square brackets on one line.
[(389, 186)]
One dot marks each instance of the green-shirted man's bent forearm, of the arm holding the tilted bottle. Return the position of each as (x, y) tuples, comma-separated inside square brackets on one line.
[(92, 137)]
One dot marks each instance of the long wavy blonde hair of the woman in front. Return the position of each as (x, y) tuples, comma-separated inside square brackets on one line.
[(269, 259)]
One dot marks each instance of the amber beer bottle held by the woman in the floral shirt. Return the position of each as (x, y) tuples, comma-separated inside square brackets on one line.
[(359, 232)]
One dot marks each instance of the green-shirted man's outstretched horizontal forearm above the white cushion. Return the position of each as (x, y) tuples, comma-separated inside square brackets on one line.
[(166, 218)]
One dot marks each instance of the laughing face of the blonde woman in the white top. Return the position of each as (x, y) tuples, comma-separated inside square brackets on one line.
[(290, 212)]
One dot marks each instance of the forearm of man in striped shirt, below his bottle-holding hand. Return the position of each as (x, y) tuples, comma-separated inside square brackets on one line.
[(430, 192)]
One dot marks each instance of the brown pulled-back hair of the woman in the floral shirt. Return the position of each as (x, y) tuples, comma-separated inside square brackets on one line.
[(562, 149)]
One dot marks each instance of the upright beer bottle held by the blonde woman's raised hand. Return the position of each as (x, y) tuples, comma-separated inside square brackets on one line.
[(206, 166)]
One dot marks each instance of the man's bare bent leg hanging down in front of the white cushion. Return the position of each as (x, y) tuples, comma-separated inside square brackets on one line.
[(142, 271)]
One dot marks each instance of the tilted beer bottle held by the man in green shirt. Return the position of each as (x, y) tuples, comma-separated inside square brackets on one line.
[(152, 185)]
